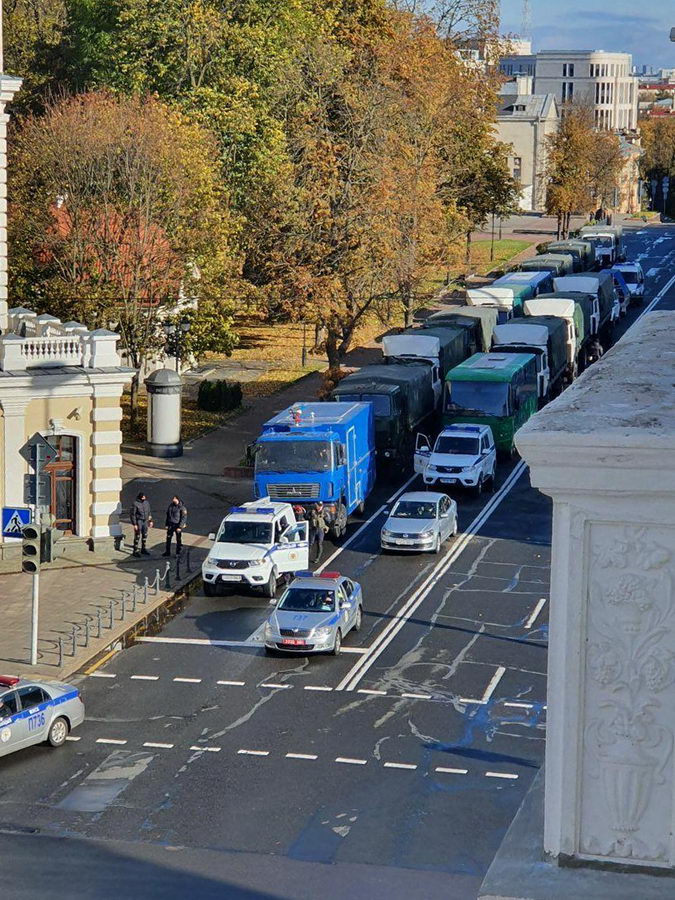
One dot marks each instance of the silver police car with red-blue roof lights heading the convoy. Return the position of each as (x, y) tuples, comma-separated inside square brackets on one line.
[(314, 614)]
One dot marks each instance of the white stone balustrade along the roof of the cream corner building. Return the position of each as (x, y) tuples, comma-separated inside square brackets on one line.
[(33, 341)]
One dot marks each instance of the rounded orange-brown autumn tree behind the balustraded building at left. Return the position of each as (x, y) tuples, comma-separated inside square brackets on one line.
[(117, 214)]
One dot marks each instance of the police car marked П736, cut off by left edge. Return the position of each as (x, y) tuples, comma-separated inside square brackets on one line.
[(32, 712)]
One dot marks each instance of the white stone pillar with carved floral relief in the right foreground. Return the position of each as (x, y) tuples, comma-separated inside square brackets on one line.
[(605, 452)]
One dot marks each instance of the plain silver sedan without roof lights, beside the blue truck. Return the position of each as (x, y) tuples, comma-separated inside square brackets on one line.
[(420, 520)]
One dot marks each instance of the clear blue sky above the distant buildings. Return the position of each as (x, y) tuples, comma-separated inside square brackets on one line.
[(642, 29)]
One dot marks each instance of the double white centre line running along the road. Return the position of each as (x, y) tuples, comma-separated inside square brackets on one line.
[(390, 631)]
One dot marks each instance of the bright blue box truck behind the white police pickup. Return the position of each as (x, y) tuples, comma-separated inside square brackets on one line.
[(322, 451)]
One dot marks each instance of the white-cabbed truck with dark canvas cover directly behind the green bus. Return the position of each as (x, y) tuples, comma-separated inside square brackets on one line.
[(546, 338)]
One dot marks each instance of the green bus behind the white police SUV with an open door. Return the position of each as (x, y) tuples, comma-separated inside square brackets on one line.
[(495, 389)]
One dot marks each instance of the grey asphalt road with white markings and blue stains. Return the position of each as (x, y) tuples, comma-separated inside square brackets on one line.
[(206, 769)]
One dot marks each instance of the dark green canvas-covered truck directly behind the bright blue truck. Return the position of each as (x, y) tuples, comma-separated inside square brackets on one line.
[(403, 400)]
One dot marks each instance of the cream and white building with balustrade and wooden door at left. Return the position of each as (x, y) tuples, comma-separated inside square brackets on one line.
[(64, 382)]
